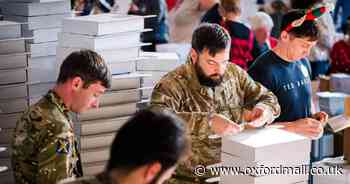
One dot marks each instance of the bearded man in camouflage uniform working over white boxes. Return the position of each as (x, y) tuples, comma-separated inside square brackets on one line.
[(213, 96)]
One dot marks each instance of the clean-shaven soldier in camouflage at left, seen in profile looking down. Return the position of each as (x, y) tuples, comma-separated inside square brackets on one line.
[(44, 146)]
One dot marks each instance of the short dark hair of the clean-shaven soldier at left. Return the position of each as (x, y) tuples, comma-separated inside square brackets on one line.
[(86, 64)]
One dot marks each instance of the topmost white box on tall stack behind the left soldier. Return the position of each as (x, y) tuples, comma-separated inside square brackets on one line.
[(103, 24)]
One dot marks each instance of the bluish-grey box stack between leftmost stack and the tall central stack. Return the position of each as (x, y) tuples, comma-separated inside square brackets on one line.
[(42, 20)]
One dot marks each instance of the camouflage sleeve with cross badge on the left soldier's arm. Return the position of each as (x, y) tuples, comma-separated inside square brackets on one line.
[(56, 147)]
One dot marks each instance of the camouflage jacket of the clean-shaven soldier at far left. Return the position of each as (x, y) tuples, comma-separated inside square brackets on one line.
[(44, 145)]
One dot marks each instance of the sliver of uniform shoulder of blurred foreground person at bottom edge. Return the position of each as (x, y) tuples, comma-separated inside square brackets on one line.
[(101, 178)]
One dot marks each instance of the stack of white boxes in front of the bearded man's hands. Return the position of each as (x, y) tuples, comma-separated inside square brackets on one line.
[(262, 150)]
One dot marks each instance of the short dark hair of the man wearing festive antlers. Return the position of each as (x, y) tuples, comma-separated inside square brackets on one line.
[(308, 29)]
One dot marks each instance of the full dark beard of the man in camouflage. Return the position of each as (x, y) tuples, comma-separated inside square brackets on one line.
[(207, 80)]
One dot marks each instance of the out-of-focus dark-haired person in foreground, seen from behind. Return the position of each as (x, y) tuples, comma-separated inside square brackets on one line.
[(145, 151)]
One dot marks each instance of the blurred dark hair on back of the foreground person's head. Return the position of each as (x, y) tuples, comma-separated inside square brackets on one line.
[(148, 137)]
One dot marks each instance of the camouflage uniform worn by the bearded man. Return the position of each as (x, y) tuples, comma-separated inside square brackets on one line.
[(180, 91)]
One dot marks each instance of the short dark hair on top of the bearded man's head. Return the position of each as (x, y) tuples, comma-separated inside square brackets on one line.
[(211, 36)]
